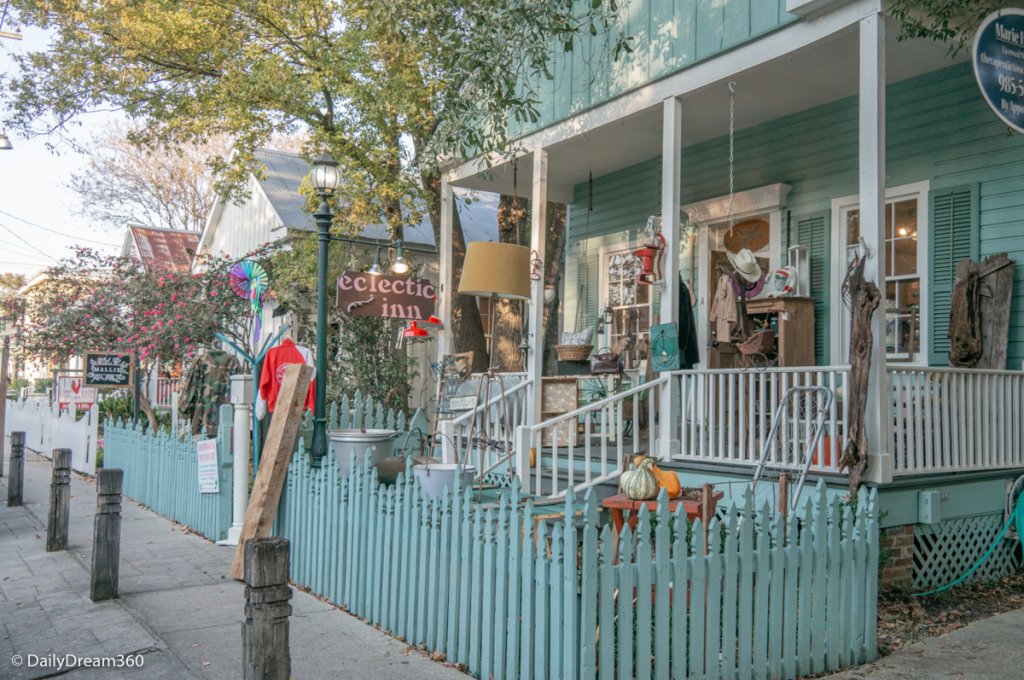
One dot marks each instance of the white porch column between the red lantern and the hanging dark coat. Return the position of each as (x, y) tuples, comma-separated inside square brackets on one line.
[(672, 149)]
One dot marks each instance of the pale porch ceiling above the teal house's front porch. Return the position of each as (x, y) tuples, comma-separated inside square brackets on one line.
[(817, 74)]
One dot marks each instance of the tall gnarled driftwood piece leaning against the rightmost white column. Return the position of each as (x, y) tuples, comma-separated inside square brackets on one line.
[(864, 305)]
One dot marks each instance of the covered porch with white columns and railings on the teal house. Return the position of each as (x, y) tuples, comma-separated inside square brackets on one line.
[(922, 421)]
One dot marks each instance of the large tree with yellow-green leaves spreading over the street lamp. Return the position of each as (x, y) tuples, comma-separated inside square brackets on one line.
[(392, 90)]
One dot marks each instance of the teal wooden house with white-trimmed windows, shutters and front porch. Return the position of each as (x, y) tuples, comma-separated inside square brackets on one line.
[(845, 143)]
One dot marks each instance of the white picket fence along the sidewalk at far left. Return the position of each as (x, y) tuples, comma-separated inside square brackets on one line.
[(48, 429)]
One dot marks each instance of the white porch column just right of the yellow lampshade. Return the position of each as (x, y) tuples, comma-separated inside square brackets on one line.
[(538, 234)]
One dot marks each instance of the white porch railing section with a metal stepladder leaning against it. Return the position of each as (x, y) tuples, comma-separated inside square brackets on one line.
[(727, 416)]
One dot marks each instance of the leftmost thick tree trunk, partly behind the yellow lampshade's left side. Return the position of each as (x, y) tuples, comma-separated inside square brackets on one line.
[(467, 332)]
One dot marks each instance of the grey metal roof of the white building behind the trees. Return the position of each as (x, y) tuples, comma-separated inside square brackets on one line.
[(285, 172)]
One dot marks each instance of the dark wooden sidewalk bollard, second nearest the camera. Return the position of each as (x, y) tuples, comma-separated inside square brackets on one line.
[(107, 536)]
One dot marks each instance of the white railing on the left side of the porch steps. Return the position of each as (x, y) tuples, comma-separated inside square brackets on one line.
[(488, 421)]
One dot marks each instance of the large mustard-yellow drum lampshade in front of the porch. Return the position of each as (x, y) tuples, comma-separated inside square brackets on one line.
[(496, 270)]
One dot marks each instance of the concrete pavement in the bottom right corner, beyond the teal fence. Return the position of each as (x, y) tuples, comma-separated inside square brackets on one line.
[(988, 650)]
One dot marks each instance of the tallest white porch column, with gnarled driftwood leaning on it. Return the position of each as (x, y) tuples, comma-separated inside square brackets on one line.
[(873, 229)]
